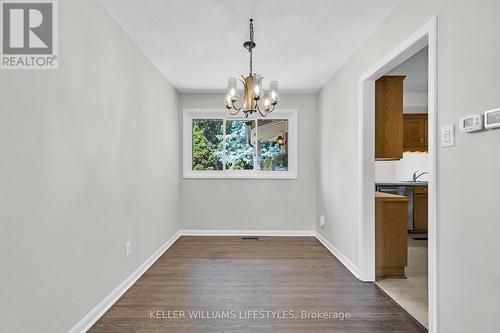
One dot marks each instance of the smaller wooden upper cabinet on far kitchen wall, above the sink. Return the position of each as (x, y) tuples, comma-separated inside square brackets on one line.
[(415, 132)]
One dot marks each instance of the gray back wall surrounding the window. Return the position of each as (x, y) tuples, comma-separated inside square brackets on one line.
[(251, 204)]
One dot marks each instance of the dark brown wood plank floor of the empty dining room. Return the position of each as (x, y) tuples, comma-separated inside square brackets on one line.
[(225, 275)]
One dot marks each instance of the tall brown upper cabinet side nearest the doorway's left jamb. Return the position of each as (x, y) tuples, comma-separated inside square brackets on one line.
[(389, 118)]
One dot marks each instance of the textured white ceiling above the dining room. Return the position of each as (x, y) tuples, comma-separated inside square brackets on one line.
[(197, 44)]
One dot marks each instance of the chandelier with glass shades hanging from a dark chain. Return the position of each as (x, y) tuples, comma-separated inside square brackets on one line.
[(254, 98)]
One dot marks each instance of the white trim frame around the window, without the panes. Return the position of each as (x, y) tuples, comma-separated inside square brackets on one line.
[(187, 132)]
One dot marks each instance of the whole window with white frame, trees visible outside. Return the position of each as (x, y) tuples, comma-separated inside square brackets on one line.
[(217, 145)]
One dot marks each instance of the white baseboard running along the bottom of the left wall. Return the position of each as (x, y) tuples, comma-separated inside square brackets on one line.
[(91, 318)]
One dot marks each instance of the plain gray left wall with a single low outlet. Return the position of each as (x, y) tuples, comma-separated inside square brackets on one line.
[(88, 162)]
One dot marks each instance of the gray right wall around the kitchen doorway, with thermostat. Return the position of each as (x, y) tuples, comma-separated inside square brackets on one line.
[(468, 53)]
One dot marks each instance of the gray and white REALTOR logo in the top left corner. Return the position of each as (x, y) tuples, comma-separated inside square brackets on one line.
[(29, 34)]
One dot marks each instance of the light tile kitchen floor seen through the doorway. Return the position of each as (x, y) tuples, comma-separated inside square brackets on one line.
[(411, 293)]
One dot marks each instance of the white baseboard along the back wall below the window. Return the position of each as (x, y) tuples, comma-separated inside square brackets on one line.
[(284, 233)]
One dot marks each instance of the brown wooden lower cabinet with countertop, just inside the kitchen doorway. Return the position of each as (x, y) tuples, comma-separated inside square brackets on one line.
[(391, 235)]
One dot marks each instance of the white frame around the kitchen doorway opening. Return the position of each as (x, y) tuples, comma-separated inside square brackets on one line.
[(425, 36)]
